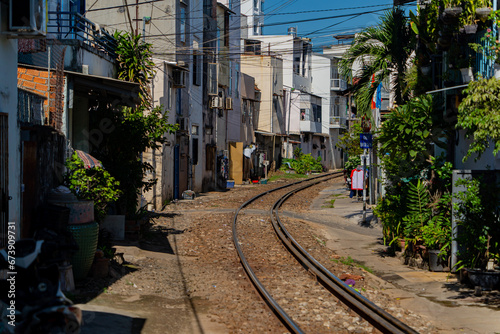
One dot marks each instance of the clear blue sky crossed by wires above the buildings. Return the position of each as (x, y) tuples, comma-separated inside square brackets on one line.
[(318, 29)]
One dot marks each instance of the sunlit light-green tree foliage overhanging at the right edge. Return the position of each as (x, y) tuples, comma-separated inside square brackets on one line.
[(479, 115)]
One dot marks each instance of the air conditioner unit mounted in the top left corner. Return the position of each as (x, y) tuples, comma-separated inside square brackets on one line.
[(27, 18)]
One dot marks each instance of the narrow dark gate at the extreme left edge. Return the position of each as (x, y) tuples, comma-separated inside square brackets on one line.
[(4, 179)]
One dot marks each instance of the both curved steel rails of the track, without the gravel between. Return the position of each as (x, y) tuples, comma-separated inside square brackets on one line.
[(376, 316)]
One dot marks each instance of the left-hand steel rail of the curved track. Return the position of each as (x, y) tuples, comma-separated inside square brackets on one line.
[(275, 307)]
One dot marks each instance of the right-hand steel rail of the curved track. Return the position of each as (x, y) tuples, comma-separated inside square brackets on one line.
[(369, 311)]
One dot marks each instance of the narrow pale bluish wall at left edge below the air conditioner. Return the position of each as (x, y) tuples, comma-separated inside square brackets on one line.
[(8, 104)]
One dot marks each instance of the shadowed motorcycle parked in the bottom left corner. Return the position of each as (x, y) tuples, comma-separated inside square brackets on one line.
[(34, 302)]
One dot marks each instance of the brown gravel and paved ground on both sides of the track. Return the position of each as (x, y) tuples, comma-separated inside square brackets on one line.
[(189, 279)]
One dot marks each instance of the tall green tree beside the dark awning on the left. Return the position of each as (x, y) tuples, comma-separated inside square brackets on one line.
[(135, 128)]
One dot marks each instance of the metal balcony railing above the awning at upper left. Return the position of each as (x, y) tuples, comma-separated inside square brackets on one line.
[(72, 25)]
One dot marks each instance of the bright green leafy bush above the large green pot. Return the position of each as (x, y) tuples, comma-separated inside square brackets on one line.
[(93, 184)]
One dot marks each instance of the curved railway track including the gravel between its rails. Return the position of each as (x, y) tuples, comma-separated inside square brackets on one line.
[(264, 273)]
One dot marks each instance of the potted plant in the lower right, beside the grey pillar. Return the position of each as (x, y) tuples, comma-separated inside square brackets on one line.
[(478, 219)]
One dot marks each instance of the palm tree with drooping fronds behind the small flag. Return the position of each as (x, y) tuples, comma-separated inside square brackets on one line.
[(382, 52)]
